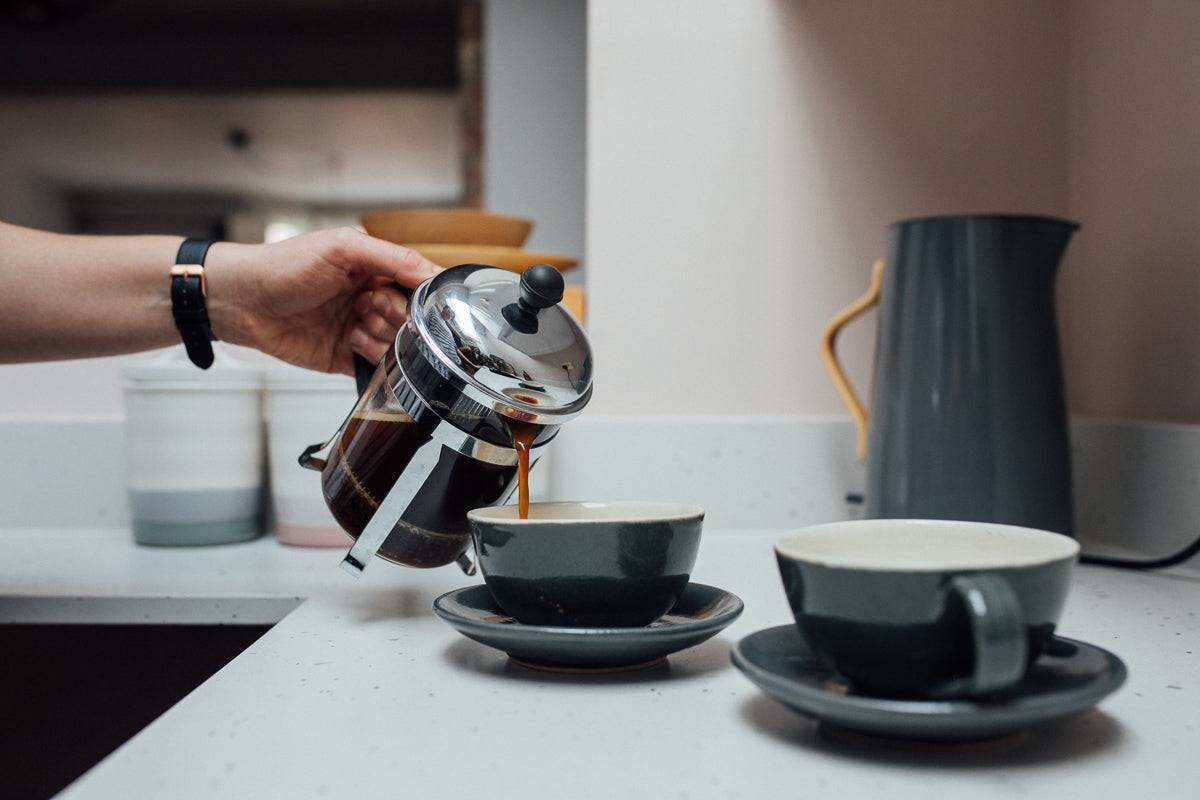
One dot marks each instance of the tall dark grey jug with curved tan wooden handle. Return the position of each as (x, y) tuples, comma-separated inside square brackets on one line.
[(968, 417)]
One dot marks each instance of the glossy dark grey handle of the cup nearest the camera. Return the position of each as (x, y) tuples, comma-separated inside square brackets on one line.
[(998, 629)]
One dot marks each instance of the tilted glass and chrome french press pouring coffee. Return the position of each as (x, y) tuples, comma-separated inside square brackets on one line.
[(485, 352)]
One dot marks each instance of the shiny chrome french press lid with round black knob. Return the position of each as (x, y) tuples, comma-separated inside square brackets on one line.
[(507, 339)]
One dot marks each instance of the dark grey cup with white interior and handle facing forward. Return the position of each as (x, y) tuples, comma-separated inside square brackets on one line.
[(927, 609)]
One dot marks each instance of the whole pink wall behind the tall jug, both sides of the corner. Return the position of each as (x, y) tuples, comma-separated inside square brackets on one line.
[(745, 164)]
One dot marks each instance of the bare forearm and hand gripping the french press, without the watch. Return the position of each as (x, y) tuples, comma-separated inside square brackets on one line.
[(310, 300)]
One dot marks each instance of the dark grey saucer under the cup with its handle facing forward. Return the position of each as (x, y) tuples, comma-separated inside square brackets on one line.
[(1072, 677)]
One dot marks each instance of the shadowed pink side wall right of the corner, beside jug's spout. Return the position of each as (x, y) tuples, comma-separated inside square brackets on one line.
[(1131, 292)]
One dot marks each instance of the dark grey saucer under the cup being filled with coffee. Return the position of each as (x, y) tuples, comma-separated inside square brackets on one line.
[(700, 613)]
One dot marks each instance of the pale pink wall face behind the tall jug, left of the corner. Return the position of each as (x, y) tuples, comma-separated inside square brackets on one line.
[(746, 160)]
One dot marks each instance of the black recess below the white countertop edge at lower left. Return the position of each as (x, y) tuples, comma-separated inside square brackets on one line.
[(70, 695)]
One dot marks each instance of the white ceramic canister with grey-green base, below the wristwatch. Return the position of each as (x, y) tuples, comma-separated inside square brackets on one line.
[(194, 449)]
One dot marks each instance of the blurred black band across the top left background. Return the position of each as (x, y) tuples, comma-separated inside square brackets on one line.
[(227, 46)]
